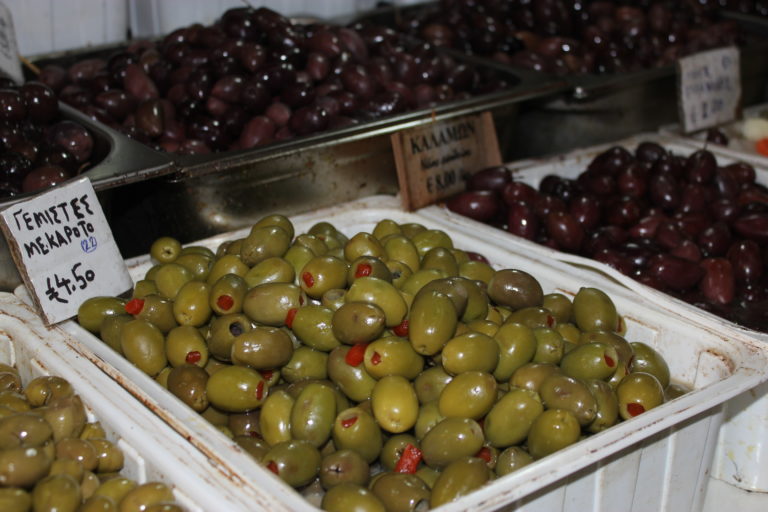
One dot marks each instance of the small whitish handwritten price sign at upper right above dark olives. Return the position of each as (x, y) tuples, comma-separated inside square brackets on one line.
[(709, 88)]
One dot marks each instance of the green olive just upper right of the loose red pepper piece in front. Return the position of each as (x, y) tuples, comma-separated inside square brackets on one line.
[(451, 440)]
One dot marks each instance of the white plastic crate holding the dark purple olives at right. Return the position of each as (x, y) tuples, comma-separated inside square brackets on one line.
[(742, 454)]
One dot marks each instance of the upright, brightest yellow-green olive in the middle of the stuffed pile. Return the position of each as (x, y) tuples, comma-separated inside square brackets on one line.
[(394, 402)]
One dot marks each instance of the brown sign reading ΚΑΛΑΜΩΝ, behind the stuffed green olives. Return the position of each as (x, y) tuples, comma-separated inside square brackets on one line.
[(433, 160)]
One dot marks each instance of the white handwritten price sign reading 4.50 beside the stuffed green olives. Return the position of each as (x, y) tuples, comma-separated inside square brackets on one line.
[(64, 249)]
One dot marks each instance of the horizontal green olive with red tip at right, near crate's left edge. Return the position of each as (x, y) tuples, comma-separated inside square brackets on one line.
[(236, 389)]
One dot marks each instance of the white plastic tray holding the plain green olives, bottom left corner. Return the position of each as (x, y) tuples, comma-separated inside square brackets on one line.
[(153, 451)]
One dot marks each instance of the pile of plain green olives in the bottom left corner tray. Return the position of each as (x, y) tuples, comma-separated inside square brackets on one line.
[(53, 459)]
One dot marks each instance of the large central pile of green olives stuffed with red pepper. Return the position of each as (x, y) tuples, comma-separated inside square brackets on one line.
[(384, 371)]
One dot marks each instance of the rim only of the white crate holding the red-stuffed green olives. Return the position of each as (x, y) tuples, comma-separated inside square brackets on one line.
[(717, 365)]
